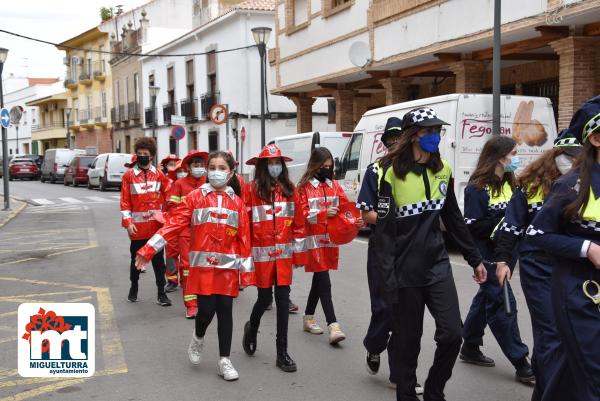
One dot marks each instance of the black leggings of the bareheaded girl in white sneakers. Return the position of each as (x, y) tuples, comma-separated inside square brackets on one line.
[(223, 306)]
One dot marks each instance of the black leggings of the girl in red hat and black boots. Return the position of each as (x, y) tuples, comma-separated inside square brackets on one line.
[(282, 300)]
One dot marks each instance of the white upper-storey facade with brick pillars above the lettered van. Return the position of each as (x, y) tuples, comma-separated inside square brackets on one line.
[(363, 54)]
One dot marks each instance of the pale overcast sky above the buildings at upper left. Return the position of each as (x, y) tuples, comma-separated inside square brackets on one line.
[(54, 21)]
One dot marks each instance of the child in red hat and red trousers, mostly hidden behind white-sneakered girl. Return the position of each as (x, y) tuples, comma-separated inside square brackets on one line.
[(195, 164)]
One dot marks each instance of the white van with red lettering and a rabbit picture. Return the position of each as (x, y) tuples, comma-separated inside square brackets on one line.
[(529, 120)]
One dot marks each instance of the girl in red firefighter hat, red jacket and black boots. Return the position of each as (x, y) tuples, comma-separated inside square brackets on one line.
[(277, 243)]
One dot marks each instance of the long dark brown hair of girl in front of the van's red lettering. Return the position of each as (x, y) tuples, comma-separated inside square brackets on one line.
[(484, 175)]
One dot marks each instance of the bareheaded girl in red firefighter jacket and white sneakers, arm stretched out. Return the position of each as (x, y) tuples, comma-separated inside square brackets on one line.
[(220, 253)]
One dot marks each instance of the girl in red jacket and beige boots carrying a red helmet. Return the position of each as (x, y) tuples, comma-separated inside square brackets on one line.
[(320, 199)]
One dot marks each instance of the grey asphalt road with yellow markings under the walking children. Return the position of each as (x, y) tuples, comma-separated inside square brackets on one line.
[(72, 249)]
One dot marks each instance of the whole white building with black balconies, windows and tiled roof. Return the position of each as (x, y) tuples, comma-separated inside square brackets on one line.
[(190, 85)]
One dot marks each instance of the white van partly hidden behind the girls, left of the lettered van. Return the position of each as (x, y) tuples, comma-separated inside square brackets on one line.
[(300, 146)]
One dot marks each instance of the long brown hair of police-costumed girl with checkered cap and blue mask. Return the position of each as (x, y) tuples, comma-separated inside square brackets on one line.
[(402, 158)]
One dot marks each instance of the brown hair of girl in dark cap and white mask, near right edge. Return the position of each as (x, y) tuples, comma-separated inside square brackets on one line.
[(540, 173)]
